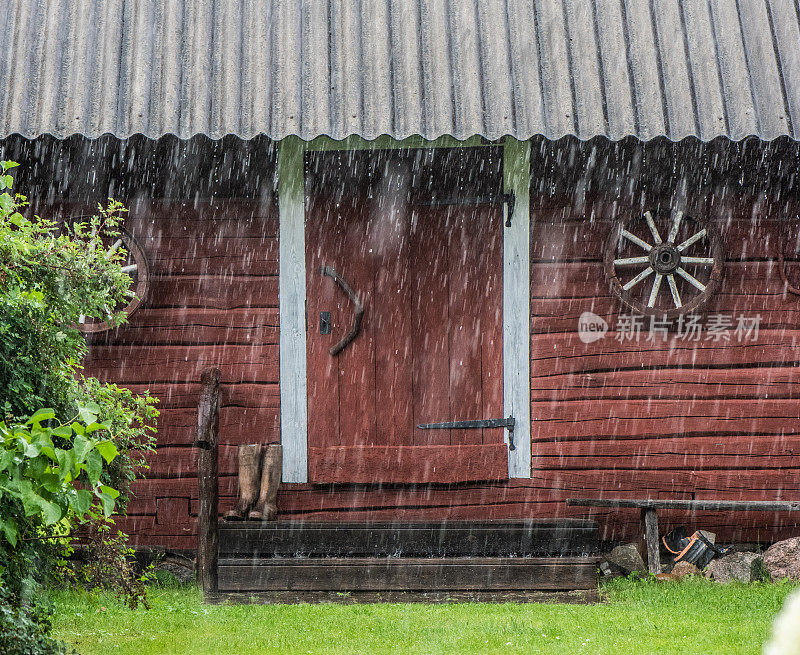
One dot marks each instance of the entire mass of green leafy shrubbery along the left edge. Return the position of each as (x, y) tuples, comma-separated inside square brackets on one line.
[(72, 465)]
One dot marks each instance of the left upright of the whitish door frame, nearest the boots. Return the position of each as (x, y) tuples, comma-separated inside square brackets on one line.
[(292, 301)]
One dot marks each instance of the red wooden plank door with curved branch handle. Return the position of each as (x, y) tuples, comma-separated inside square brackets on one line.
[(429, 348)]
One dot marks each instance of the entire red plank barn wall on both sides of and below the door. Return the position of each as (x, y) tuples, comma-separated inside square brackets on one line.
[(609, 420)]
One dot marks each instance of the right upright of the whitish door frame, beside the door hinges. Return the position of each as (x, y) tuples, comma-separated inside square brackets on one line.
[(516, 304)]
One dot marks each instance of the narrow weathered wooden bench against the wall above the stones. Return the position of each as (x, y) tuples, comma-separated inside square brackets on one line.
[(649, 509)]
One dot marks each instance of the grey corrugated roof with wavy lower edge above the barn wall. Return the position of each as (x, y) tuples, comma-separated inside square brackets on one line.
[(401, 67)]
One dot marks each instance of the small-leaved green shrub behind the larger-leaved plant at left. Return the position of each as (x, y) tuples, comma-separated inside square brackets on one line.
[(51, 274)]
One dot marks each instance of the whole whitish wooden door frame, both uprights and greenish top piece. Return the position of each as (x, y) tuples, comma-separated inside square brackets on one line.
[(292, 293)]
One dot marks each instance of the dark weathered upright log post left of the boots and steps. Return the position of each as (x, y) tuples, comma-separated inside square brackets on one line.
[(207, 440)]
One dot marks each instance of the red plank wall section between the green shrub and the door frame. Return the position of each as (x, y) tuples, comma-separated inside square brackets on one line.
[(213, 301)]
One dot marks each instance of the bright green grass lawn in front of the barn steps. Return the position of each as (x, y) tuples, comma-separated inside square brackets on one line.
[(693, 616)]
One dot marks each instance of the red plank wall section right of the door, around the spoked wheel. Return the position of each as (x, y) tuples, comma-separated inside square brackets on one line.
[(708, 419)]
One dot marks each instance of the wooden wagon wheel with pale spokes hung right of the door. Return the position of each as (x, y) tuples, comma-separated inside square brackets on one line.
[(664, 263)]
